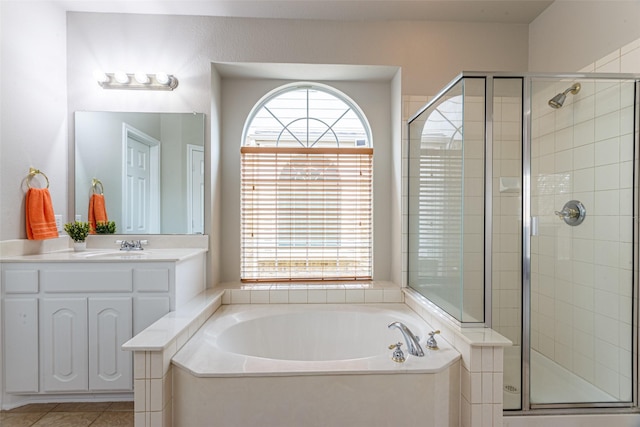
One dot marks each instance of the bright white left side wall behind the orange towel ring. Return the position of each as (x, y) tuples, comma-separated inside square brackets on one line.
[(33, 131)]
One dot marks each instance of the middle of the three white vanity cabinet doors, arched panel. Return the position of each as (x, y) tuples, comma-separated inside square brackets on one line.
[(64, 325)]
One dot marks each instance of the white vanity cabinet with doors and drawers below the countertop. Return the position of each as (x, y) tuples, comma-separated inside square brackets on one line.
[(64, 323)]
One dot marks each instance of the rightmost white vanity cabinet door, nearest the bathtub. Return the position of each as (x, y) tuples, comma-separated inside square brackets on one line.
[(110, 367)]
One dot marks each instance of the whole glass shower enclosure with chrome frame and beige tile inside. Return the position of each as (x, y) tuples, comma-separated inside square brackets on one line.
[(522, 194)]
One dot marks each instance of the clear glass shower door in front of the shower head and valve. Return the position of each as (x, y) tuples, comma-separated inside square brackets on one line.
[(581, 249)]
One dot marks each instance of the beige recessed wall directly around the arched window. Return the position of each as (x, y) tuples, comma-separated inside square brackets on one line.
[(239, 96)]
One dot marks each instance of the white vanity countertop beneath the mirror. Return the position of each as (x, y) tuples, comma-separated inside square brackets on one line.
[(110, 255)]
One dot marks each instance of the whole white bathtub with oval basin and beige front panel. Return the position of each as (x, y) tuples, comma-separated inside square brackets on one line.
[(312, 365)]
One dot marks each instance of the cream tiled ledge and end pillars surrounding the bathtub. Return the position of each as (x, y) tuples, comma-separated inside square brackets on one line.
[(480, 373)]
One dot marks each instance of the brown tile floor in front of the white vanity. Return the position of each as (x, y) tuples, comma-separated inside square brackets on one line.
[(99, 414)]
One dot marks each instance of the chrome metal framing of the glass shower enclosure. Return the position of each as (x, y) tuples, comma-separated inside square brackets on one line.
[(526, 407)]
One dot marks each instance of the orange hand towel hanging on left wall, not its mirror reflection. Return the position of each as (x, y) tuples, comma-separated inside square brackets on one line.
[(41, 221)]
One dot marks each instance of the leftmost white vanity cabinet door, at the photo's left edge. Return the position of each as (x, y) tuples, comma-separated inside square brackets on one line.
[(21, 345)]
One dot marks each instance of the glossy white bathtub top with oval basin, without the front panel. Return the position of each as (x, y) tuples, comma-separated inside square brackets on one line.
[(280, 339)]
